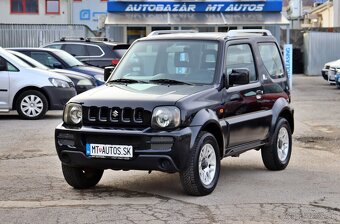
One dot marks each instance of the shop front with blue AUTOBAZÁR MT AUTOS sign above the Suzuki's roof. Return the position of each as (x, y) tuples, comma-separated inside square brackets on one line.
[(128, 20)]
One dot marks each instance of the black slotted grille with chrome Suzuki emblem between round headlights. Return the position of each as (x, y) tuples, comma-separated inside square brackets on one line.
[(116, 116)]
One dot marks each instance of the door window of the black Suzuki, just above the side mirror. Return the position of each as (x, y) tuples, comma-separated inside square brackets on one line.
[(240, 56)]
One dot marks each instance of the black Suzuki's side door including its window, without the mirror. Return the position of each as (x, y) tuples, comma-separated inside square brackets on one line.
[(248, 122)]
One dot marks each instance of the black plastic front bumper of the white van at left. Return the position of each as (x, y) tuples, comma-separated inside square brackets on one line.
[(58, 97)]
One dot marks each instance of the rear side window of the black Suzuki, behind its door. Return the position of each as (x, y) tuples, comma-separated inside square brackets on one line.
[(271, 58)]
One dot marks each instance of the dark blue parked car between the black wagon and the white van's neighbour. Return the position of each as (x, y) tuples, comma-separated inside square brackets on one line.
[(59, 59)]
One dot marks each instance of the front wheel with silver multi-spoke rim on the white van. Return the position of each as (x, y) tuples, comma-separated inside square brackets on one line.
[(31, 105)]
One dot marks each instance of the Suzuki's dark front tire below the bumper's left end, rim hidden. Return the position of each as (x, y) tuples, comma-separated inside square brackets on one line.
[(81, 178)]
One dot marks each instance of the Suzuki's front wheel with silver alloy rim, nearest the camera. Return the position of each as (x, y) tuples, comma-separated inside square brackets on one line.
[(204, 154)]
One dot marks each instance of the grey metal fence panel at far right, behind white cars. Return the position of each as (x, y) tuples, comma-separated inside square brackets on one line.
[(319, 48)]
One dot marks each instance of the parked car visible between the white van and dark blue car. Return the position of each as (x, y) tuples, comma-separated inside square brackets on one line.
[(82, 82)]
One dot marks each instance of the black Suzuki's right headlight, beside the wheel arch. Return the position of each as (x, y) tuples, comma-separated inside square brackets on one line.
[(165, 117)]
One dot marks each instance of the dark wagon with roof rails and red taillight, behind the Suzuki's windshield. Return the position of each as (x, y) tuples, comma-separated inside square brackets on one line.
[(97, 52)]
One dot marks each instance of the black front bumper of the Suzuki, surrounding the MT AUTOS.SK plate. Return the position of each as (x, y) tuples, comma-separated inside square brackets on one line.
[(163, 151)]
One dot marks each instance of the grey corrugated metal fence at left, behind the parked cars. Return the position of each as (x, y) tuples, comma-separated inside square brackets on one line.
[(34, 35)]
